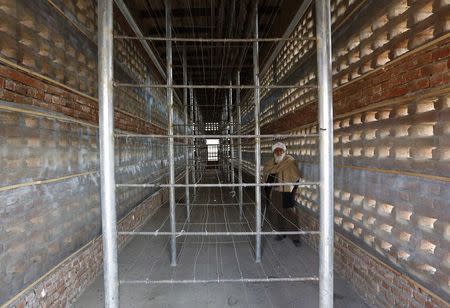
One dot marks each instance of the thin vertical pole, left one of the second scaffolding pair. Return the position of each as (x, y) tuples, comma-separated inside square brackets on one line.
[(173, 243)]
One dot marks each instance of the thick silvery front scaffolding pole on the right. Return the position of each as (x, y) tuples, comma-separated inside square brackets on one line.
[(323, 30)]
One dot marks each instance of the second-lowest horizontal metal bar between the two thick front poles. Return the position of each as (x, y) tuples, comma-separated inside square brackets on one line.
[(205, 233)]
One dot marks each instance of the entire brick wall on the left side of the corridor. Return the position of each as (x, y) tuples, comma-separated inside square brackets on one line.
[(49, 151)]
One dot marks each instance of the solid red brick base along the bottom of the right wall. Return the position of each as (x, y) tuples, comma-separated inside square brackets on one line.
[(381, 284)]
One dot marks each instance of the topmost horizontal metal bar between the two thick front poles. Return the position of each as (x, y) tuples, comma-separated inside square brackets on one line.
[(216, 40)]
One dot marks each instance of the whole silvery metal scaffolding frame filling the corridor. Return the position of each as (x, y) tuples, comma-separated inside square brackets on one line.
[(106, 136)]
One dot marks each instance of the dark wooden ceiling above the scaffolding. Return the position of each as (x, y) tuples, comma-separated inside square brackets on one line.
[(213, 63)]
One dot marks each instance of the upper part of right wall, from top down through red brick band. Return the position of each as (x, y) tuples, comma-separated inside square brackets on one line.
[(374, 38)]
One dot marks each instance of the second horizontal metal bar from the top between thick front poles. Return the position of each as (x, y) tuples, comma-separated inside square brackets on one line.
[(208, 86)]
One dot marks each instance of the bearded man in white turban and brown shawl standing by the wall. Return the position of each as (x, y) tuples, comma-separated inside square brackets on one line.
[(282, 168)]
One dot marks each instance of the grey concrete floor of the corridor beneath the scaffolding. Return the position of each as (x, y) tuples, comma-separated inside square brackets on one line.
[(214, 258)]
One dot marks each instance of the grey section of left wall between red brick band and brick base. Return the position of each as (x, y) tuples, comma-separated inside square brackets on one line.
[(49, 188)]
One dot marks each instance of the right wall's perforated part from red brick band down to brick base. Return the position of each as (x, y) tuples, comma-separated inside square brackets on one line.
[(391, 170)]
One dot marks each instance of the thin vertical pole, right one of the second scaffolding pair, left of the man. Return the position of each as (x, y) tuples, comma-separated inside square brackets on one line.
[(257, 139)]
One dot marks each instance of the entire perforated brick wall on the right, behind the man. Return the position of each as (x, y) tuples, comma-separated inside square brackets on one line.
[(391, 72)]
